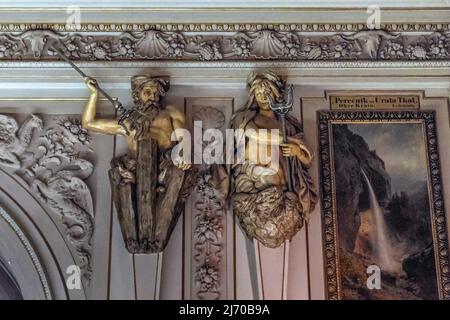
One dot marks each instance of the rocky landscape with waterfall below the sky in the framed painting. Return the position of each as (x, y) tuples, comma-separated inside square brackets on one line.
[(406, 260)]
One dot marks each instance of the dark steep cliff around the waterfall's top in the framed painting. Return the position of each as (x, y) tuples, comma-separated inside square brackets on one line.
[(352, 154)]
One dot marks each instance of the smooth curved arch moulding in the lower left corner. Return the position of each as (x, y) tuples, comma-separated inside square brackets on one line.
[(32, 237)]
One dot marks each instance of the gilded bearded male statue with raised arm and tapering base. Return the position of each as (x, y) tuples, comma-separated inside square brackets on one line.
[(148, 189)]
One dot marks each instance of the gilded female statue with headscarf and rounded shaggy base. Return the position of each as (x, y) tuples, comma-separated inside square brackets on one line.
[(266, 209)]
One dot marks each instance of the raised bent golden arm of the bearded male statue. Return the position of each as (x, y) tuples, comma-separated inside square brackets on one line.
[(105, 126)]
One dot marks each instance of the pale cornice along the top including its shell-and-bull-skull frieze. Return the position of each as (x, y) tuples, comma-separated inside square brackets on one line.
[(412, 31)]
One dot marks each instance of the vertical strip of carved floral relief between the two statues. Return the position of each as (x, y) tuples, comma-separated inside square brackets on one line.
[(209, 221)]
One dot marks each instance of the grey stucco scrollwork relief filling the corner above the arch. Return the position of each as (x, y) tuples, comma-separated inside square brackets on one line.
[(53, 167)]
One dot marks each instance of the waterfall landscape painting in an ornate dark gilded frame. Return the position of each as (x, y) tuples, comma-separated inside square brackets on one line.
[(384, 226)]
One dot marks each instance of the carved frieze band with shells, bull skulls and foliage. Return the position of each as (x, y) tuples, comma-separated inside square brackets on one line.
[(262, 45)]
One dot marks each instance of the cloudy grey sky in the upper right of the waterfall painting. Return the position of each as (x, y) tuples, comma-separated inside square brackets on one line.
[(402, 148)]
